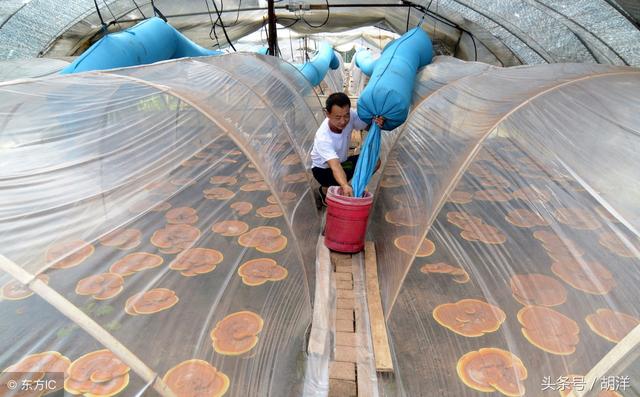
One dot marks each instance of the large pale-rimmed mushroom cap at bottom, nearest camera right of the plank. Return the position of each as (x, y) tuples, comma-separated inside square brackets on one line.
[(492, 369)]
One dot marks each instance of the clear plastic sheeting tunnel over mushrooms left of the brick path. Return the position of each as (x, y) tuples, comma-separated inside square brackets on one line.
[(167, 211)]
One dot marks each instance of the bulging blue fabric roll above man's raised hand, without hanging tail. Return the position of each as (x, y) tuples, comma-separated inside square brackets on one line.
[(390, 88)]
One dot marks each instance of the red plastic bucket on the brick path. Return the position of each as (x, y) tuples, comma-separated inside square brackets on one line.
[(346, 221)]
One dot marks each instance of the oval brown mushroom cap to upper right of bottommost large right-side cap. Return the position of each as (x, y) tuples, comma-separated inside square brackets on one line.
[(549, 330)]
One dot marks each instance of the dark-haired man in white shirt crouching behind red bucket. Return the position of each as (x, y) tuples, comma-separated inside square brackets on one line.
[(330, 160)]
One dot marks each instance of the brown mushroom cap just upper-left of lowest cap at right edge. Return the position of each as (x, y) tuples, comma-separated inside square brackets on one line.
[(587, 276)]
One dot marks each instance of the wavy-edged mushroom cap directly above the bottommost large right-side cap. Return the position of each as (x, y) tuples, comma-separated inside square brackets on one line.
[(469, 317)]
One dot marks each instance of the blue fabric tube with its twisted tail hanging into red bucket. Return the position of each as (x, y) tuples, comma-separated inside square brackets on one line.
[(388, 94)]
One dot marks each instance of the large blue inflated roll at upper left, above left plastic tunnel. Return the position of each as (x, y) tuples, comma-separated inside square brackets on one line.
[(149, 41)]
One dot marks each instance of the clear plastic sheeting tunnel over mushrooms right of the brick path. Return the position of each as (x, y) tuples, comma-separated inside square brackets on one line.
[(506, 223)]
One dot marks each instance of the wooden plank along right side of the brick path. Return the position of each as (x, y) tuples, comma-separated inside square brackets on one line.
[(379, 337)]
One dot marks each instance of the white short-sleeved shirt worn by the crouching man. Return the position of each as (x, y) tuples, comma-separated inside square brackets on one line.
[(328, 145)]
